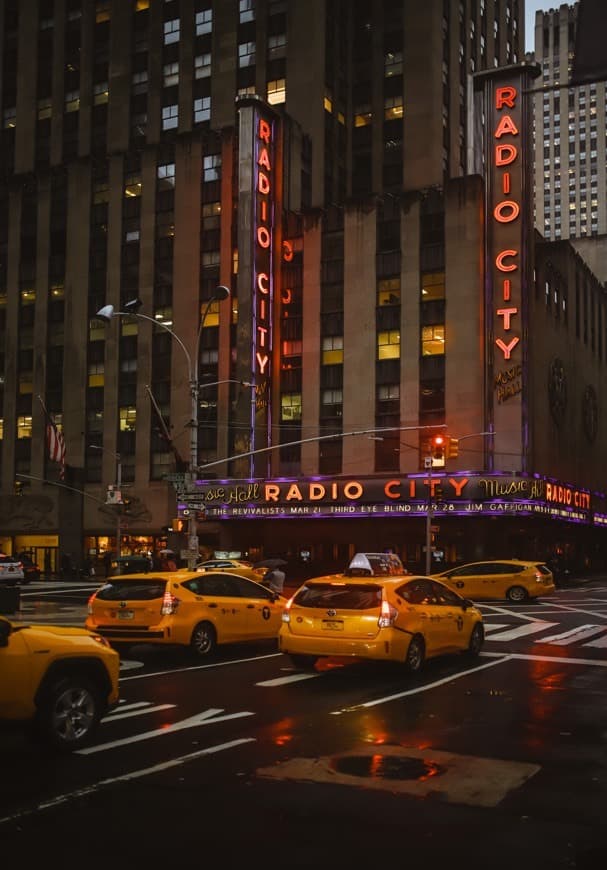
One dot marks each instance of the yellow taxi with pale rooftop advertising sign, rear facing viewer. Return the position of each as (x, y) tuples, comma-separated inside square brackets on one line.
[(369, 613)]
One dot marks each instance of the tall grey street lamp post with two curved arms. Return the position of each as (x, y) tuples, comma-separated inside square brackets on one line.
[(107, 313)]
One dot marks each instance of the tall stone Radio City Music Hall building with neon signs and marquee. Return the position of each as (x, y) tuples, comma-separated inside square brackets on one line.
[(386, 285)]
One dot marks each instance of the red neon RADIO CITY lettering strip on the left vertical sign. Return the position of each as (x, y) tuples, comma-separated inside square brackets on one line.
[(263, 253)]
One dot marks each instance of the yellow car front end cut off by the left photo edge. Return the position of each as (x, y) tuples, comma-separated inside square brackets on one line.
[(57, 682)]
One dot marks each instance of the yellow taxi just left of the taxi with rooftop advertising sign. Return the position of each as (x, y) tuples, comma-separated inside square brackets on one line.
[(195, 609)]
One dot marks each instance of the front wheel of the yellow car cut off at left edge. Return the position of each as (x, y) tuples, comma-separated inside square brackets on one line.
[(68, 713)]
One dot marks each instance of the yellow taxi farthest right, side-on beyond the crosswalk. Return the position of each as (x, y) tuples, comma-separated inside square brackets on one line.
[(513, 579)]
